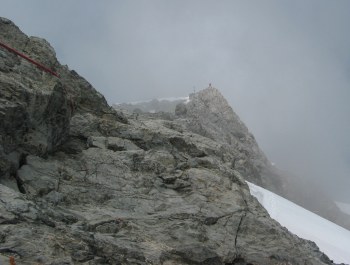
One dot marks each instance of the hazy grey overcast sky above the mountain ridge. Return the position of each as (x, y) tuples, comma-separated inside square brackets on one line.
[(284, 66)]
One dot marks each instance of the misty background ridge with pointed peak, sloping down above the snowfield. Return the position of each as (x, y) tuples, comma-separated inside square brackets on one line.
[(209, 114)]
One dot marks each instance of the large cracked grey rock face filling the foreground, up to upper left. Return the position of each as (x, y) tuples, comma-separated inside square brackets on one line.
[(81, 183)]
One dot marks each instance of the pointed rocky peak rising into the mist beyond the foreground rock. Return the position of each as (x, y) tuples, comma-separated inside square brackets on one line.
[(209, 114)]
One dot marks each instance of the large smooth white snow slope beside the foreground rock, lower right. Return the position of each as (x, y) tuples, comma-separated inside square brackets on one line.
[(332, 239)]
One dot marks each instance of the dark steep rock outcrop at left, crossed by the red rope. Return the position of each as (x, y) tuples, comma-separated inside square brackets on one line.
[(36, 107)]
